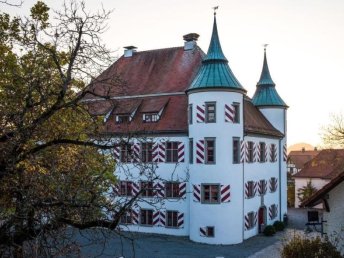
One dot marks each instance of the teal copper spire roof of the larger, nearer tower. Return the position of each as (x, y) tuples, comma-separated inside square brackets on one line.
[(215, 71)]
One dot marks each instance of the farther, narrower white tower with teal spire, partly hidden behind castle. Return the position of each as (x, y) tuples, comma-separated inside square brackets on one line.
[(268, 101)]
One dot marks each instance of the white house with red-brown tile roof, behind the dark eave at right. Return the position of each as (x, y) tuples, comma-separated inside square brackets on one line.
[(320, 170)]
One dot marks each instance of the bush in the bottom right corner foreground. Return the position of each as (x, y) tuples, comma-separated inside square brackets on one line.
[(300, 247)]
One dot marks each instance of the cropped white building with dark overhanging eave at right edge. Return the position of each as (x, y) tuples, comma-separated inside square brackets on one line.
[(331, 196)]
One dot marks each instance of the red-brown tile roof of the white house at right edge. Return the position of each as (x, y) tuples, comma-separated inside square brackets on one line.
[(326, 165)]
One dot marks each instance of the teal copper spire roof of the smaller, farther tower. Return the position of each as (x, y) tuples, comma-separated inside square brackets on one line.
[(266, 93)]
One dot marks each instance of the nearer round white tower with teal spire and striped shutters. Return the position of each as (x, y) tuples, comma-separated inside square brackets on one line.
[(216, 127)]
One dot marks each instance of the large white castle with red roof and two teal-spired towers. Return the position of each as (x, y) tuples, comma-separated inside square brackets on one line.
[(184, 113)]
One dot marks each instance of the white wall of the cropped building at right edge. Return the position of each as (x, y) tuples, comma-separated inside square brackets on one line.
[(335, 219)]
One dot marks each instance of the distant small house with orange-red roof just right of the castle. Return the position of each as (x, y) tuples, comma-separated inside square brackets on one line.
[(297, 159)]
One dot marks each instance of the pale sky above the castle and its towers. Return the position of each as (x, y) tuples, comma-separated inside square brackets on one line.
[(305, 53)]
